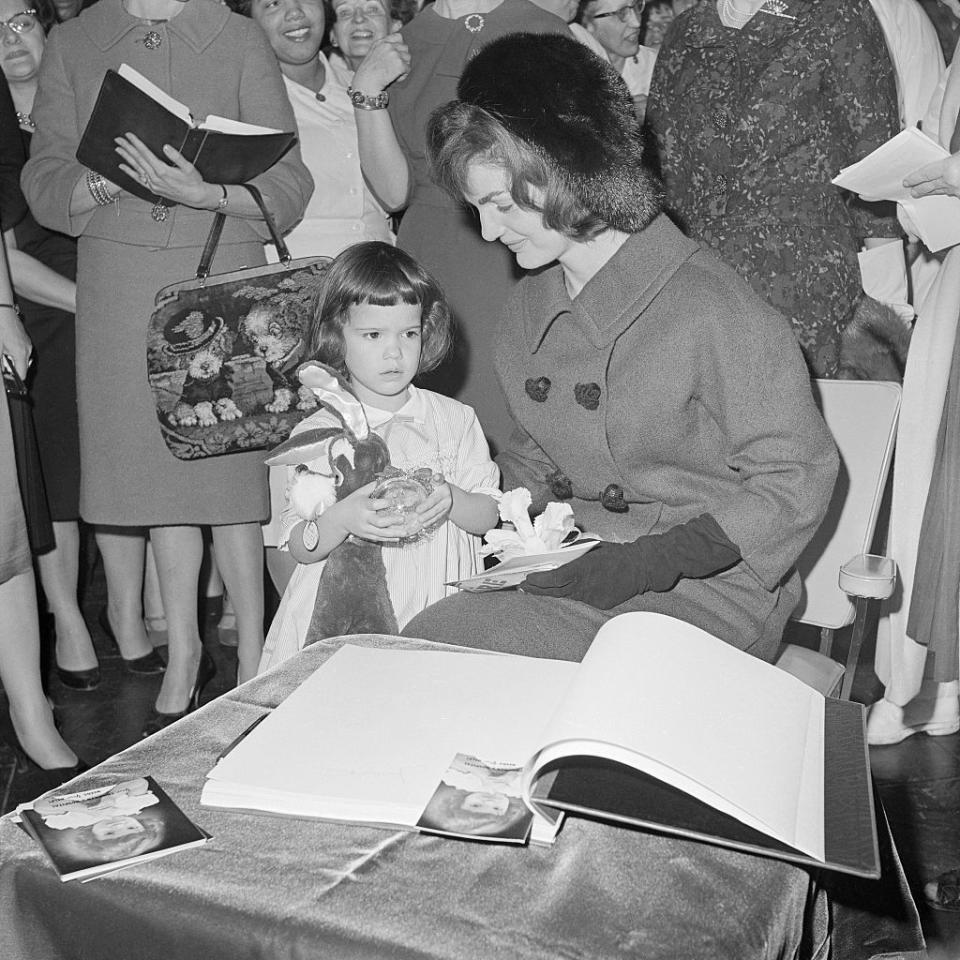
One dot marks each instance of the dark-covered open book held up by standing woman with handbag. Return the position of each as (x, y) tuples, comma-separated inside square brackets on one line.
[(223, 150)]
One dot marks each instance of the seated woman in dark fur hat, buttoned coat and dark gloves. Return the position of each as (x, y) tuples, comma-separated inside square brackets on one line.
[(651, 387)]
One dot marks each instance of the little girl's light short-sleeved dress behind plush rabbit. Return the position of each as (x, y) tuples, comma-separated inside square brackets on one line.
[(432, 431)]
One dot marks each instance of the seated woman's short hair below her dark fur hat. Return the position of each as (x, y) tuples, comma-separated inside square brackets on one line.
[(460, 135)]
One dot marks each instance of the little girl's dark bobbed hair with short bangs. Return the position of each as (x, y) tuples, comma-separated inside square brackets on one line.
[(384, 276)]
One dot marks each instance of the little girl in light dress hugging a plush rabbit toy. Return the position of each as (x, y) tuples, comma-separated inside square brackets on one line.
[(380, 321)]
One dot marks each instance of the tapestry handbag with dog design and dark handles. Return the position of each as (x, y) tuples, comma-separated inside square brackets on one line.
[(223, 350)]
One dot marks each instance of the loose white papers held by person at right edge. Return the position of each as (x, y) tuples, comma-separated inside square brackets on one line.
[(880, 175)]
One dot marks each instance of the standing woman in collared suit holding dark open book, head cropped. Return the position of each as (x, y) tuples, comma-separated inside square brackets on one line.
[(217, 63)]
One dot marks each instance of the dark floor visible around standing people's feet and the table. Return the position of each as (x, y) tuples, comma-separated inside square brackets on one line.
[(919, 779)]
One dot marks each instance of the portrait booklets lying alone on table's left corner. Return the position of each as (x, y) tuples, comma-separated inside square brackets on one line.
[(92, 832)]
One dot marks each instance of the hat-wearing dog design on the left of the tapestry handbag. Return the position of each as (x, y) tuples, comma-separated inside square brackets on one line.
[(201, 344)]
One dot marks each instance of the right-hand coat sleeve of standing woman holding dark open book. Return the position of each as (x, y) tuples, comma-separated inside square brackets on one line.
[(287, 185)]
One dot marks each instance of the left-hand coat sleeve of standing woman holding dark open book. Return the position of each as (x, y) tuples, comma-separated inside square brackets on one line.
[(52, 172)]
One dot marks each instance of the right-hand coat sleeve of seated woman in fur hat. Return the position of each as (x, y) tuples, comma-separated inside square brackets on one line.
[(775, 440)]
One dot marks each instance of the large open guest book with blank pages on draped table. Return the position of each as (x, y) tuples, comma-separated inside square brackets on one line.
[(661, 726)]
